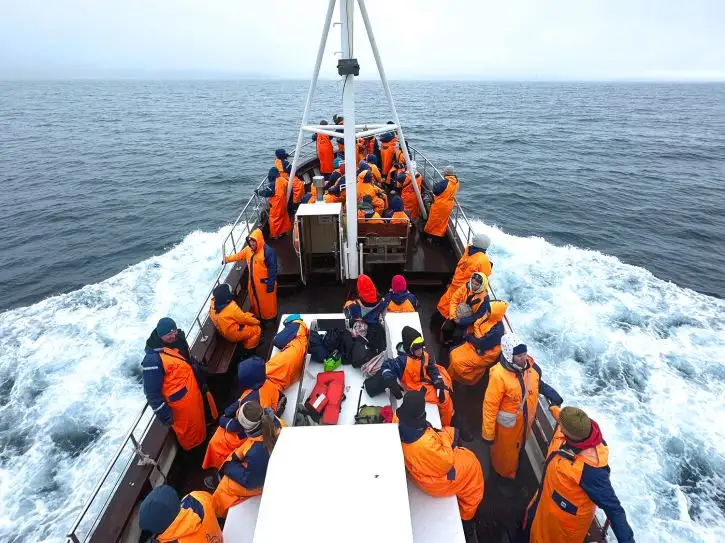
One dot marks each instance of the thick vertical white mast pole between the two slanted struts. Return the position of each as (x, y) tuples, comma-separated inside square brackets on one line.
[(347, 13)]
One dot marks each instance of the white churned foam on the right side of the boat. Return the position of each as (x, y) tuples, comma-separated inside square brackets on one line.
[(644, 358)]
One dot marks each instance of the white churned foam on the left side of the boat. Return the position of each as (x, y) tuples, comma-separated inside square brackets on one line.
[(75, 359)]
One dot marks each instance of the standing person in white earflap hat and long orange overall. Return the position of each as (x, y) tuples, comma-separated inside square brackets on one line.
[(509, 406)]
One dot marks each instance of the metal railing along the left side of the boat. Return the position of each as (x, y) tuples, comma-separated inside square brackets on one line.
[(130, 445)]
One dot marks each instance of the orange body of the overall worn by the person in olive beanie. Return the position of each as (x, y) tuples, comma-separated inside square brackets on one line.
[(561, 509)]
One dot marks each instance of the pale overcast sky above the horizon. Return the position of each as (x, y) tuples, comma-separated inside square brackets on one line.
[(480, 39)]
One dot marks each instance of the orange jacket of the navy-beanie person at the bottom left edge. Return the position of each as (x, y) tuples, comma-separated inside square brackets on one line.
[(195, 523)]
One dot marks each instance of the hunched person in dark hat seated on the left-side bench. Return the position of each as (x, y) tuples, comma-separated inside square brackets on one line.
[(230, 321)]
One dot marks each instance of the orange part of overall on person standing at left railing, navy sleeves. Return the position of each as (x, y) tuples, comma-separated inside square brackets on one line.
[(184, 398)]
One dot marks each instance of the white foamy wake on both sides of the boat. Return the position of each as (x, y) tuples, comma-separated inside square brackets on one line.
[(641, 355)]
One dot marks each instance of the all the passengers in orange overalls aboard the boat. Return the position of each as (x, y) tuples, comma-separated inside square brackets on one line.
[(472, 328)]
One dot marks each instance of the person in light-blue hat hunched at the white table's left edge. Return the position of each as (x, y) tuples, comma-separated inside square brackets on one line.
[(285, 367)]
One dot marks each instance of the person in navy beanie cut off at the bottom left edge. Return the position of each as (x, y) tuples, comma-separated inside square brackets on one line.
[(169, 519)]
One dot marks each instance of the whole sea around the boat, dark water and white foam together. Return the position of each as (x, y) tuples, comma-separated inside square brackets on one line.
[(605, 203)]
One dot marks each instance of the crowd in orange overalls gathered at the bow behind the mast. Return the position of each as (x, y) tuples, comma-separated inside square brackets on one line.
[(385, 190)]
